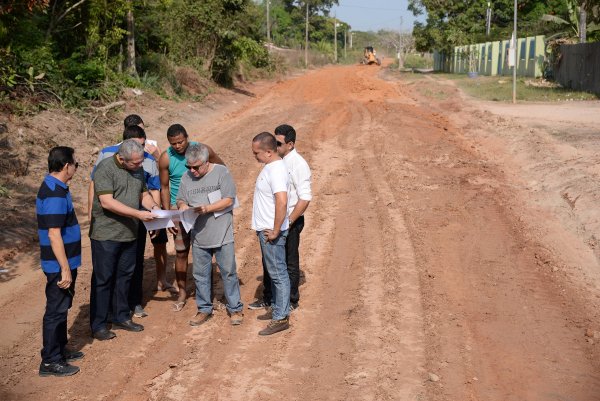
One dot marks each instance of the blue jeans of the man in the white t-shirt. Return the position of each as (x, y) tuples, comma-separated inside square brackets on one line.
[(273, 254)]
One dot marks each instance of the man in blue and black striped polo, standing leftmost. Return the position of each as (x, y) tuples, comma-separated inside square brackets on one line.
[(60, 254)]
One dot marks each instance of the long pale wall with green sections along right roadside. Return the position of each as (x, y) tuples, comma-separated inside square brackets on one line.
[(491, 58)]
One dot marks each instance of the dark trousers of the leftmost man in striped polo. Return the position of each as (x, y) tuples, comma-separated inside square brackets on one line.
[(54, 327)]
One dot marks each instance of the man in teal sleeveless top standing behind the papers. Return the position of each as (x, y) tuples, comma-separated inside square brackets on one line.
[(171, 167)]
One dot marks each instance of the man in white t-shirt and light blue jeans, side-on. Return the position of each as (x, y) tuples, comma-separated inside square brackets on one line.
[(270, 221)]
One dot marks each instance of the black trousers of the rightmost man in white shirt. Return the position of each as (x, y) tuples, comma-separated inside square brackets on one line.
[(292, 256)]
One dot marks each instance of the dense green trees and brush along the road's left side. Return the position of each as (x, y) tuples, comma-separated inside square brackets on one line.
[(82, 53)]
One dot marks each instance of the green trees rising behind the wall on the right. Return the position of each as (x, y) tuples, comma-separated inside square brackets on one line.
[(456, 22)]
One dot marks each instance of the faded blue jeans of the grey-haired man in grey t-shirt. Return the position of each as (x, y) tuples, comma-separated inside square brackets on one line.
[(225, 256)]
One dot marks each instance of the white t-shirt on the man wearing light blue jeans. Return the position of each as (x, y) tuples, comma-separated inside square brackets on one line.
[(273, 178)]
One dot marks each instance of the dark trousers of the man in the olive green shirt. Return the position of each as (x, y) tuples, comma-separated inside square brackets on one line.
[(114, 263)]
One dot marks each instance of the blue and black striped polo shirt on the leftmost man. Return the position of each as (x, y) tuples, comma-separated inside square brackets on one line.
[(54, 208)]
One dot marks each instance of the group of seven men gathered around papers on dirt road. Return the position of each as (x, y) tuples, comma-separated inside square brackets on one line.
[(128, 184)]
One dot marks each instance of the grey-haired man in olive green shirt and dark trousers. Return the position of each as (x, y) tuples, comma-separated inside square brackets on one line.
[(119, 186)]
